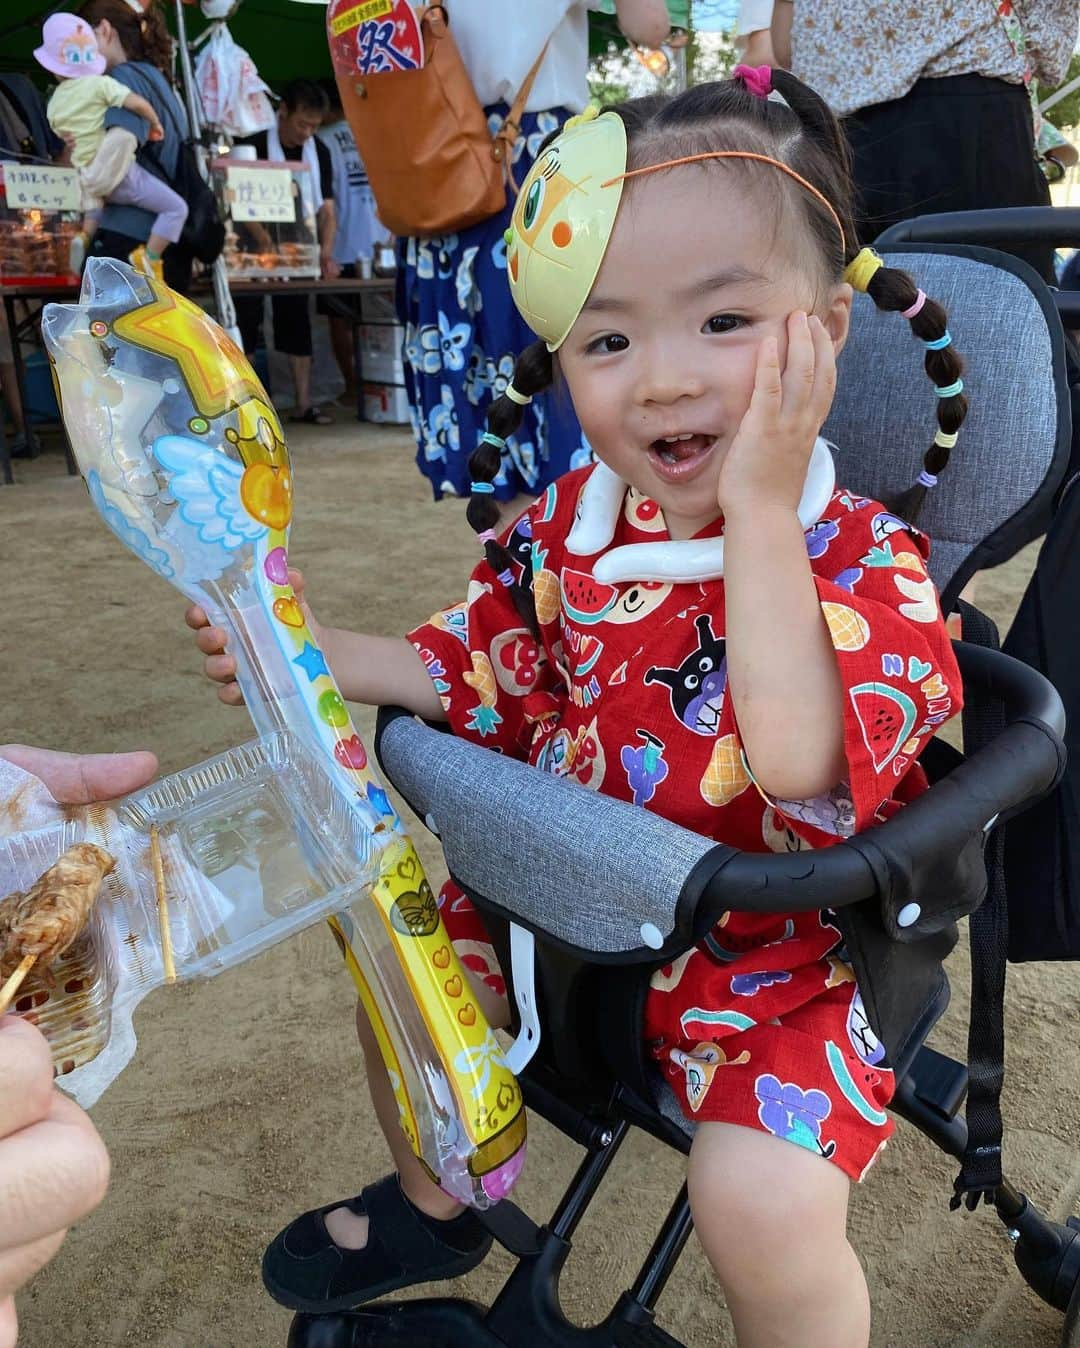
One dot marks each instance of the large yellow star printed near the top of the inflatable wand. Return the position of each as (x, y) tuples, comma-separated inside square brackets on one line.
[(218, 374)]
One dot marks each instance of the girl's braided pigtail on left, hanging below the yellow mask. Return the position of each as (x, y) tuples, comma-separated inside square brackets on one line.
[(533, 373)]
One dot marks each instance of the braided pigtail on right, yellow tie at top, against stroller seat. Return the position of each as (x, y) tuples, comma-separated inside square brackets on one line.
[(893, 290)]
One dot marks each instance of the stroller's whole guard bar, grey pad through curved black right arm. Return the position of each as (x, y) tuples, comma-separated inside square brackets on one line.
[(622, 885)]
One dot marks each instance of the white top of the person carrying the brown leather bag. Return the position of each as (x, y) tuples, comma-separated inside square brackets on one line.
[(500, 41)]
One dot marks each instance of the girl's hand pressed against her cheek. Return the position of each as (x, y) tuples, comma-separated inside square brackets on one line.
[(767, 463)]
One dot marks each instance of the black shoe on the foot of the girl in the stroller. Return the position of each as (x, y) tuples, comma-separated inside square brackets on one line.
[(307, 1270)]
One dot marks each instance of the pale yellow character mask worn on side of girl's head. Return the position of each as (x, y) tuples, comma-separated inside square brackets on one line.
[(563, 223)]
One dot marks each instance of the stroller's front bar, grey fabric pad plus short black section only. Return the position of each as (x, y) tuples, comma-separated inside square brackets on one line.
[(595, 876)]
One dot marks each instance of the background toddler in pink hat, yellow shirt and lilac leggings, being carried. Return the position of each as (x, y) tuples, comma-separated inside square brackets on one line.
[(106, 160)]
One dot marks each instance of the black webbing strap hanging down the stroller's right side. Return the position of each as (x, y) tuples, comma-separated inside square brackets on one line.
[(981, 1171)]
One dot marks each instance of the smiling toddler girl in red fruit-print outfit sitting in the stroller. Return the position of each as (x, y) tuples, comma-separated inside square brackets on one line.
[(702, 623)]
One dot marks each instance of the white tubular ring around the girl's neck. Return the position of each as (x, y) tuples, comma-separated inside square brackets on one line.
[(673, 560)]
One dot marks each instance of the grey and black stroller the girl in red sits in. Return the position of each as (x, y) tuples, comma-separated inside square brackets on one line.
[(580, 932)]
